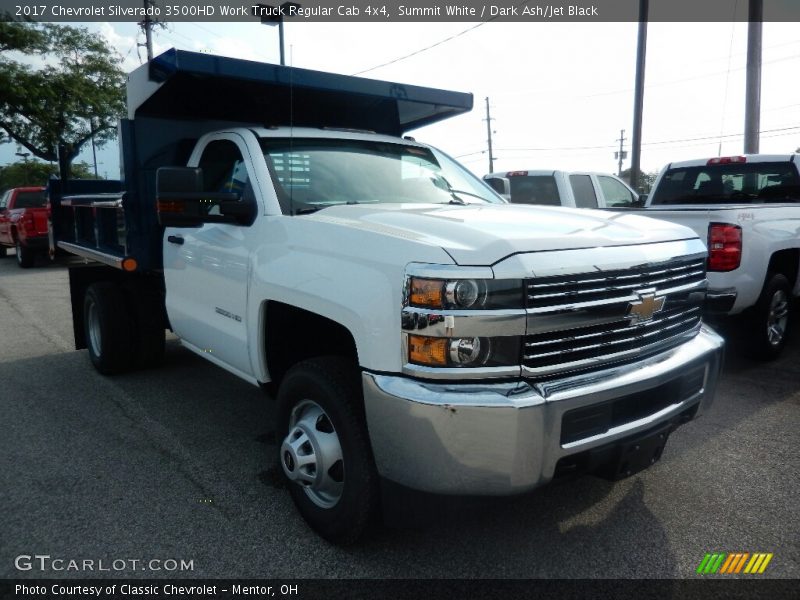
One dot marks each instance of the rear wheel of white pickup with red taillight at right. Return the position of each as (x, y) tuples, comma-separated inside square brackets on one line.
[(768, 321)]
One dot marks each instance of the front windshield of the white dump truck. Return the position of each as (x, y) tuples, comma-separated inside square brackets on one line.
[(312, 174)]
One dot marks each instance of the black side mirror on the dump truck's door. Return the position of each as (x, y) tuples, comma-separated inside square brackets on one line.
[(182, 202)]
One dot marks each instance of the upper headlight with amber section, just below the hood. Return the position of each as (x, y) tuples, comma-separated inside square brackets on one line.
[(464, 294)]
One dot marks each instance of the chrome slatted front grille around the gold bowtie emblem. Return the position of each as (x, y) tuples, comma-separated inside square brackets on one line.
[(581, 322)]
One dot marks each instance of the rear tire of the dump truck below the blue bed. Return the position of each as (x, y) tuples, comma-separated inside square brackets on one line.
[(107, 328)]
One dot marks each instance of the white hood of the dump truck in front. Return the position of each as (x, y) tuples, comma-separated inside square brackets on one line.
[(486, 234)]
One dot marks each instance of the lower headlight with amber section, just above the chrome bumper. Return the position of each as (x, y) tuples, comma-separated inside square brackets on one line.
[(463, 351)]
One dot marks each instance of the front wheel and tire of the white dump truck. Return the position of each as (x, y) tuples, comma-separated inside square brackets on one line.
[(321, 421)]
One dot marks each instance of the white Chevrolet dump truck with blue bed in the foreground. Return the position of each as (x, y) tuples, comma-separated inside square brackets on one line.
[(416, 327)]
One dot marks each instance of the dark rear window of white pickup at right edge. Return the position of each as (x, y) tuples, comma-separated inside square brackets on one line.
[(734, 183)]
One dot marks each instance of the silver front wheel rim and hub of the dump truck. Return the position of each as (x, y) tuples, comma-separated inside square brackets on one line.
[(311, 455)]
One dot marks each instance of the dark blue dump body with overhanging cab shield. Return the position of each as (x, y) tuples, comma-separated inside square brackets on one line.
[(178, 97)]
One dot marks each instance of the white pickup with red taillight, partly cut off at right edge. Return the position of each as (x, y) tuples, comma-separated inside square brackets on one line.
[(748, 210)]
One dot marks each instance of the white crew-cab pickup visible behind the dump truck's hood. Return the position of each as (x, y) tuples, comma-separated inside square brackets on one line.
[(563, 188)]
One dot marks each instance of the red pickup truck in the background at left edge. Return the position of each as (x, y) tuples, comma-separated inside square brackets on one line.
[(23, 223)]
